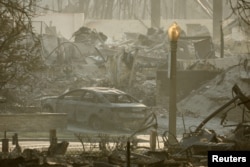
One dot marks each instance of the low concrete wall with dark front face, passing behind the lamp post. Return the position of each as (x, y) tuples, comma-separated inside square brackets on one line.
[(193, 79)]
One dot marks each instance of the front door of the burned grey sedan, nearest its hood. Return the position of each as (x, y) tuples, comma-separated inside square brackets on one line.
[(68, 102)]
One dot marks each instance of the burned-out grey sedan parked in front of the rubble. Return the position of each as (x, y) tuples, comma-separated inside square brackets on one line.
[(98, 107)]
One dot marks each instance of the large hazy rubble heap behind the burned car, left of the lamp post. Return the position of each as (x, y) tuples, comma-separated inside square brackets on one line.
[(118, 64)]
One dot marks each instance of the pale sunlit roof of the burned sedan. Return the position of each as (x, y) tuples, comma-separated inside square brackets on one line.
[(103, 90)]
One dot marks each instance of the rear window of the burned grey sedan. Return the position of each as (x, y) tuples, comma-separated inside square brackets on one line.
[(120, 98)]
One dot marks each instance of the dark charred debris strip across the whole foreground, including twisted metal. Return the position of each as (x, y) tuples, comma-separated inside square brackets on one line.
[(106, 150)]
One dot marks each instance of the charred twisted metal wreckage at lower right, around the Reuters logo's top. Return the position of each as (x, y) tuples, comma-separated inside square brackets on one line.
[(197, 142)]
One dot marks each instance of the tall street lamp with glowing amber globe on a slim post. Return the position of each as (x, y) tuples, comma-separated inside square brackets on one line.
[(173, 35)]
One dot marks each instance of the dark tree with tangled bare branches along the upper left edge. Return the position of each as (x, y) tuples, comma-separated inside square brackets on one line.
[(19, 46)]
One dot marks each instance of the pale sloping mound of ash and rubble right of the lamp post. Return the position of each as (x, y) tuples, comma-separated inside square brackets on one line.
[(216, 92)]
